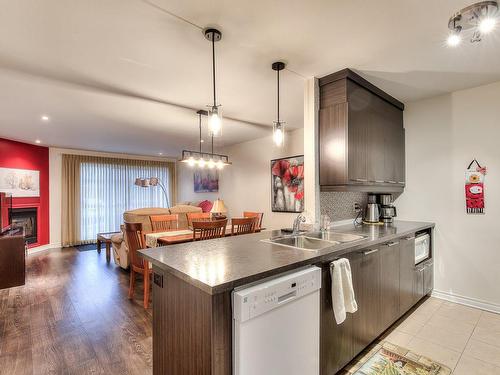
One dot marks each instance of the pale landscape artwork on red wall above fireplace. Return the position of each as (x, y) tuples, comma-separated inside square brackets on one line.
[(20, 182)]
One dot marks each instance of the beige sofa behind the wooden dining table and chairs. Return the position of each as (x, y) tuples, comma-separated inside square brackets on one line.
[(141, 215)]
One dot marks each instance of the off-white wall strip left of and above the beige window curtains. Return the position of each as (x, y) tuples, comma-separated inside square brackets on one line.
[(55, 185)]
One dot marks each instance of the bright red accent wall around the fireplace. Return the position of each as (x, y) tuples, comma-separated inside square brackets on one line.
[(25, 156)]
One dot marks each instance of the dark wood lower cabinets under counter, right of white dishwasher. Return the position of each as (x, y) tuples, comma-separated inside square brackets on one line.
[(386, 285)]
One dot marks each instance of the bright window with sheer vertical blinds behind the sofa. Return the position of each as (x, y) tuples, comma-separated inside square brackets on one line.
[(107, 190)]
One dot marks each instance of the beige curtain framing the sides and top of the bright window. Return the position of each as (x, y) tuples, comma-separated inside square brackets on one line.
[(71, 210)]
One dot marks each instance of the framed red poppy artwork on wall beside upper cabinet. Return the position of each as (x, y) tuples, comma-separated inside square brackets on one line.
[(287, 184)]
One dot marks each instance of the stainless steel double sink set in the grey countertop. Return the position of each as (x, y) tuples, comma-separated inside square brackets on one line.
[(314, 241)]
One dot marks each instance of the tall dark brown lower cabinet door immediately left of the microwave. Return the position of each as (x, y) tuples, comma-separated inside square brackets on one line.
[(406, 273)]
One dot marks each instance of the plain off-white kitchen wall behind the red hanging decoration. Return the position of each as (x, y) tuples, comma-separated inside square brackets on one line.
[(443, 135)]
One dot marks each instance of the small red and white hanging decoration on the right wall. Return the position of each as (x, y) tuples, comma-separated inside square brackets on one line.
[(474, 188)]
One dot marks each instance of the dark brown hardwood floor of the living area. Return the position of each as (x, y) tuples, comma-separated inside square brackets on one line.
[(73, 317)]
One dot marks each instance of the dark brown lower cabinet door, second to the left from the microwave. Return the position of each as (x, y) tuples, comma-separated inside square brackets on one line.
[(389, 283)]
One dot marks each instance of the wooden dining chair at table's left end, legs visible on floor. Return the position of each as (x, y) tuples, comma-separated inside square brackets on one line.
[(135, 239)]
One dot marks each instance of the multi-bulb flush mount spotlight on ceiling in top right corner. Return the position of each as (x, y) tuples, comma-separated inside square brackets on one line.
[(476, 20)]
